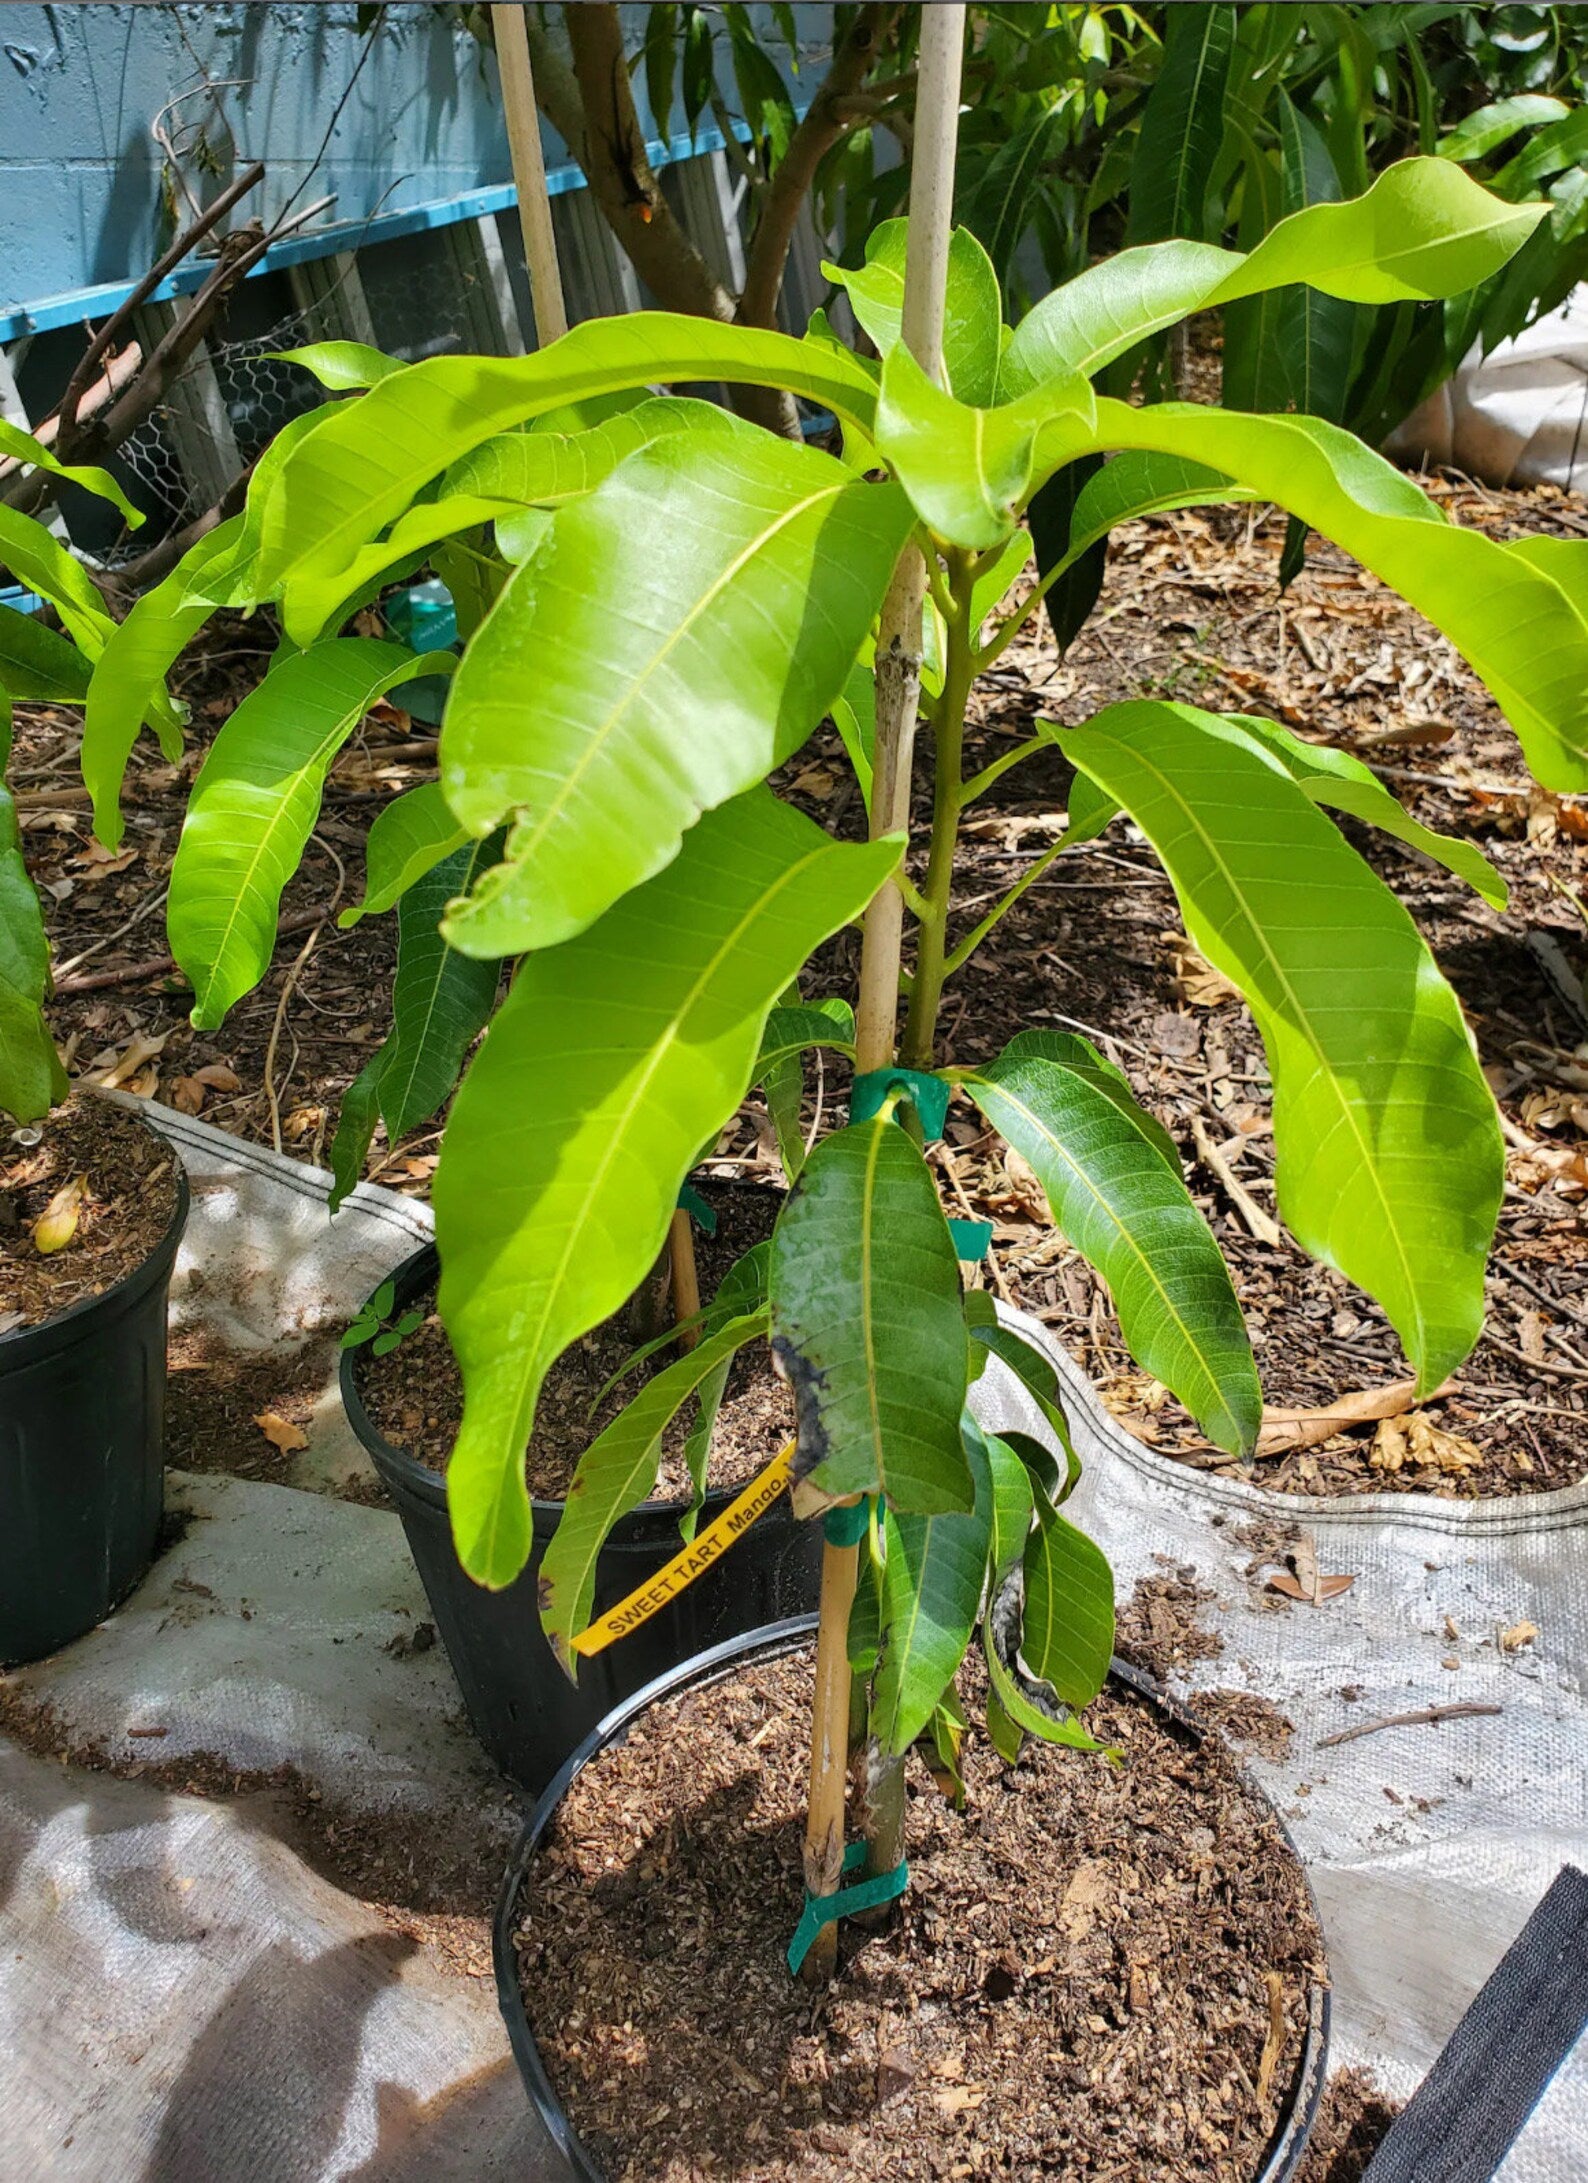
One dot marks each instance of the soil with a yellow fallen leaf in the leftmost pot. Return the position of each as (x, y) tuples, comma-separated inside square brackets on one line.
[(93, 1176)]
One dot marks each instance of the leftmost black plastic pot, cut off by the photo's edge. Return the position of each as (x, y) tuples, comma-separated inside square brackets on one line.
[(84, 1455)]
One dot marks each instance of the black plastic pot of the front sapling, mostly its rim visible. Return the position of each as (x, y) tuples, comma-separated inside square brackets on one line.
[(565, 2154)]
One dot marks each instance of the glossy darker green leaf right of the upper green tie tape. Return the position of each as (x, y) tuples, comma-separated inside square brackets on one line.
[(1128, 1213)]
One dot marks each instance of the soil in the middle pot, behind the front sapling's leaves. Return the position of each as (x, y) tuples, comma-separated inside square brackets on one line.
[(414, 1394)]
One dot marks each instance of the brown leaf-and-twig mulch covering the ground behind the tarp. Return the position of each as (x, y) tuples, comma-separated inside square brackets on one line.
[(1192, 610)]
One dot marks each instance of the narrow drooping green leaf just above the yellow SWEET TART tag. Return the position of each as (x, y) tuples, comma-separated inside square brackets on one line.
[(613, 1477)]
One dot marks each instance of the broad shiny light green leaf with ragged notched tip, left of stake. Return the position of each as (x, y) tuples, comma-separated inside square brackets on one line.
[(746, 577)]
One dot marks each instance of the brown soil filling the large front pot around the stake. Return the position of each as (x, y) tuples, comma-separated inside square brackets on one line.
[(1100, 1972)]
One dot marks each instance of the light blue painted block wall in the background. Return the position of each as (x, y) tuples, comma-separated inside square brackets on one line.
[(82, 86)]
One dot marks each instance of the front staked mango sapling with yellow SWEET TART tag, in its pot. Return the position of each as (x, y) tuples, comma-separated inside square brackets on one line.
[(665, 615)]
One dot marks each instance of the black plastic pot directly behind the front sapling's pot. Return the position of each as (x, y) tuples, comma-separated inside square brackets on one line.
[(521, 1704)]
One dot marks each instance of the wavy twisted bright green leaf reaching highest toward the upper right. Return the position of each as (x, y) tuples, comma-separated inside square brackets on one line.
[(1425, 230)]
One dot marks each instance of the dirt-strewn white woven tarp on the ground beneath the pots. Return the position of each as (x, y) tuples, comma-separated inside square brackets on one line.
[(182, 1999)]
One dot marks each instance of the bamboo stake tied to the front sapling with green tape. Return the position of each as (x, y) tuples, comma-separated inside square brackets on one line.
[(899, 680)]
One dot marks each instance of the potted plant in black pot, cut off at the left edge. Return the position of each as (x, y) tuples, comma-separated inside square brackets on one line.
[(93, 1204)]
